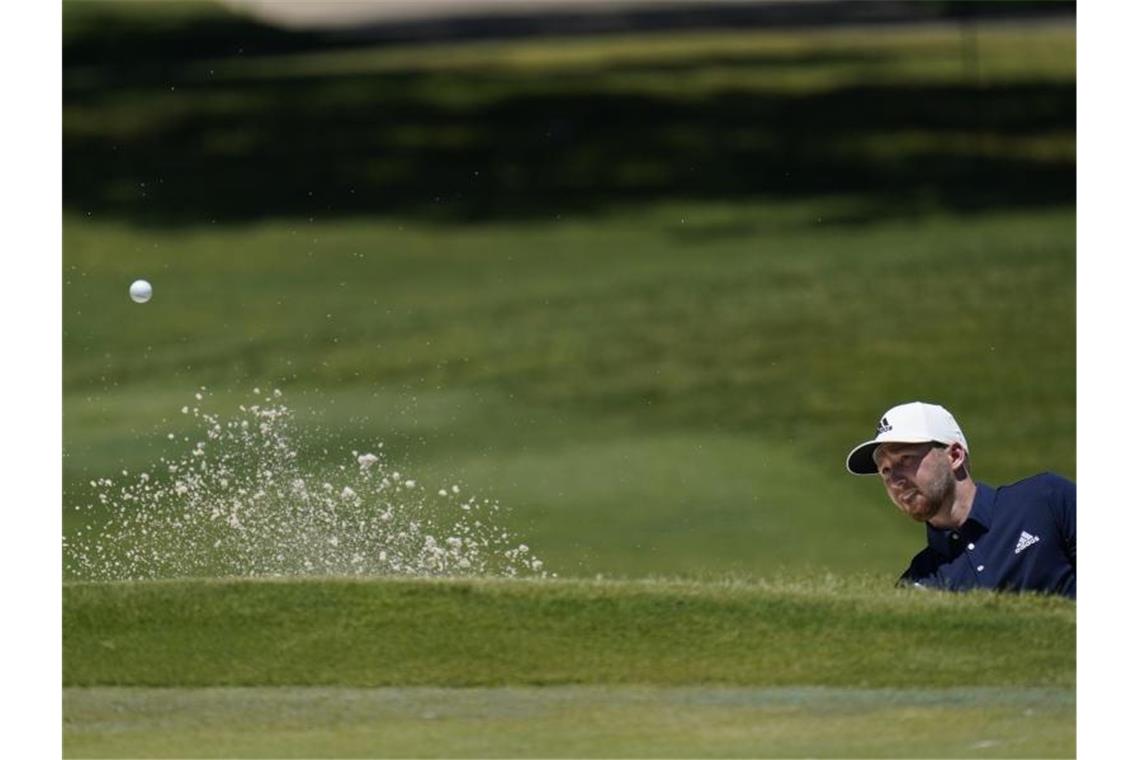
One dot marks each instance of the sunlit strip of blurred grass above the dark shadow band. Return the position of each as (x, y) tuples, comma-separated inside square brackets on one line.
[(693, 66)]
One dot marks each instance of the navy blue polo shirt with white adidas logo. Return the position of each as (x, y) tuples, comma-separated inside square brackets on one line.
[(1019, 538)]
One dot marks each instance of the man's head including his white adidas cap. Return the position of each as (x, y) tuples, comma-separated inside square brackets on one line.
[(922, 455)]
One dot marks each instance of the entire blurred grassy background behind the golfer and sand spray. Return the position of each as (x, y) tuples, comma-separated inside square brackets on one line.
[(641, 272)]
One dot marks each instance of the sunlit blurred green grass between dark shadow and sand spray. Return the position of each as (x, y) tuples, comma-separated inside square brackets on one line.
[(682, 407)]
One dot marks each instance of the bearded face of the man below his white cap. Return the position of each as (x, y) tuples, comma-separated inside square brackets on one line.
[(918, 477)]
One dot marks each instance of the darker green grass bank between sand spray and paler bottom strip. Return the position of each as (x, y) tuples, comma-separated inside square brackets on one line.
[(485, 633)]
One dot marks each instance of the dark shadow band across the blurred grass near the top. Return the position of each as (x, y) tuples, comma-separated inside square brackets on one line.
[(164, 144)]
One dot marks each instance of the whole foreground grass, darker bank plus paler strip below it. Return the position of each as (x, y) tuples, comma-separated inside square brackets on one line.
[(445, 668)]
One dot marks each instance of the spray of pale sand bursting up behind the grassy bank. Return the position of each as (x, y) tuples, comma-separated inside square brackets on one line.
[(242, 508)]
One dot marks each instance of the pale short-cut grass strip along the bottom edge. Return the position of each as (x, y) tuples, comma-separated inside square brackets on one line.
[(581, 722)]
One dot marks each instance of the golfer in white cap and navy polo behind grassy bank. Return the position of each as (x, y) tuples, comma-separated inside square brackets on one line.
[(1020, 537)]
